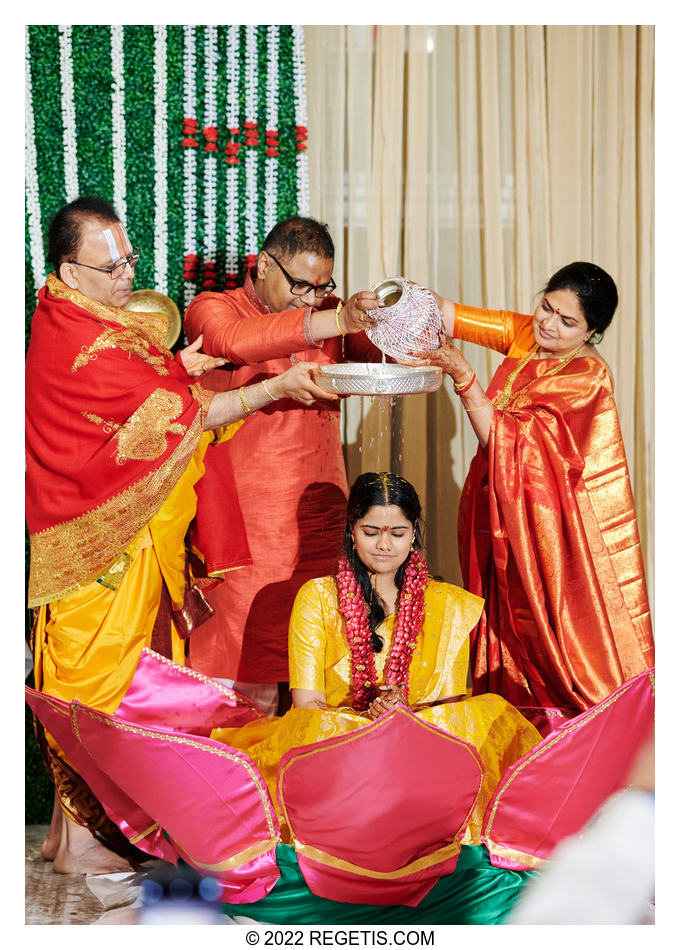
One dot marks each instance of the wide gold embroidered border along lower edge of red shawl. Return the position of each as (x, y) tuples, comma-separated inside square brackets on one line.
[(73, 554)]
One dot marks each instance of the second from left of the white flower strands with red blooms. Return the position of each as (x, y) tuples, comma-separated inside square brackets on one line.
[(210, 158)]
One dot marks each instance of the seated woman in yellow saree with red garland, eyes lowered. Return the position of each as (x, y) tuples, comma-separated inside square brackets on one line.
[(382, 633)]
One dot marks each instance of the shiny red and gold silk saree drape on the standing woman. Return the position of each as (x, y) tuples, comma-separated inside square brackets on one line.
[(548, 536)]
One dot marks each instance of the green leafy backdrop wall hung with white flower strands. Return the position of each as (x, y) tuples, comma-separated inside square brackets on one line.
[(197, 134)]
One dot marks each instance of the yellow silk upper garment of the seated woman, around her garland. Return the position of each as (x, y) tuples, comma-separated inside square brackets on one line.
[(319, 656)]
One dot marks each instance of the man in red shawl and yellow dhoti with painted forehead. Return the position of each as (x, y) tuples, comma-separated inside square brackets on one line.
[(116, 432)]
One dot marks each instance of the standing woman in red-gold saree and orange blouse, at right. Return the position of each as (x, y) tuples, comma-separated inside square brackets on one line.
[(547, 528)]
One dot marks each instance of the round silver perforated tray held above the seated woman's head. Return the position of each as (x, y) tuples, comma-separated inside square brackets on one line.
[(377, 379)]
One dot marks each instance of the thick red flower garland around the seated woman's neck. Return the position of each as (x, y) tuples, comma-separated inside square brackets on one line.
[(410, 615)]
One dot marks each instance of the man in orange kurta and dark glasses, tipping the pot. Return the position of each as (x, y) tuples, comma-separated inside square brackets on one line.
[(287, 460)]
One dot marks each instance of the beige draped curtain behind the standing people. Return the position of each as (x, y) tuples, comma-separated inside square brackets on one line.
[(476, 161)]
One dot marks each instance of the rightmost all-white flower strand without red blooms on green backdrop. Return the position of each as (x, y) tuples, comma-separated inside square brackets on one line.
[(160, 154)]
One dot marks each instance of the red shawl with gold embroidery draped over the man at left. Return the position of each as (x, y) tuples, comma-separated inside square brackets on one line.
[(112, 422)]
